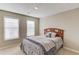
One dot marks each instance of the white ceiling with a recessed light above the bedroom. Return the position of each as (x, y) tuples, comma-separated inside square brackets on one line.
[(44, 9)]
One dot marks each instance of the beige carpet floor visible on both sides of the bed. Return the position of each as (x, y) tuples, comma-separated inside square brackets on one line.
[(16, 51)]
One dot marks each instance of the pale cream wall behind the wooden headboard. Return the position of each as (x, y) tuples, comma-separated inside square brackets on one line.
[(69, 21)]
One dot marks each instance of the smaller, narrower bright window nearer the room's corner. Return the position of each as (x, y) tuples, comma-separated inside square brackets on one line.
[(30, 28)]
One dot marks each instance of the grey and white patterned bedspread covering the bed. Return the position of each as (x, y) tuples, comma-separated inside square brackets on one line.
[(38, 45)]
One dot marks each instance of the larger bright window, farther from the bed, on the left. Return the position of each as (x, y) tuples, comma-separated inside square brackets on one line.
[(11, 28)]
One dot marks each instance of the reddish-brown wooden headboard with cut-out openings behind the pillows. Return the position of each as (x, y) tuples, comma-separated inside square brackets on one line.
[(59, 32)]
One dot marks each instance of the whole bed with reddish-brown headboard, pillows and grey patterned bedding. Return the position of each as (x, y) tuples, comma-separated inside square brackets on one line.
[(49, 44)]
